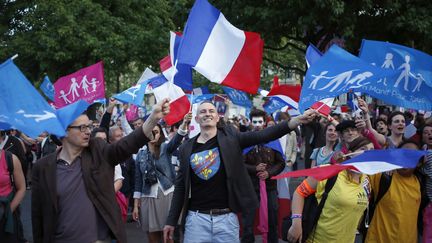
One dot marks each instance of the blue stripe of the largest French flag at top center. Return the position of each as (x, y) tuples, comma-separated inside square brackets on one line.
[(199, 26)]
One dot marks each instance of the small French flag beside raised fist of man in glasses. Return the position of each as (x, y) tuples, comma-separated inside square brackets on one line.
[(179, 103)]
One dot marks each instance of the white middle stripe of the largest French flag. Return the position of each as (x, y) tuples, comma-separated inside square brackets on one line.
[(224, 41)]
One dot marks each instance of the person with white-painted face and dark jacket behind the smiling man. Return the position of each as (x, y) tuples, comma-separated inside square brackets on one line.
[(262, 162)]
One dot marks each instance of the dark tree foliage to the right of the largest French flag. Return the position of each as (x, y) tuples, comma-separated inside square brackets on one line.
[(287, 27)]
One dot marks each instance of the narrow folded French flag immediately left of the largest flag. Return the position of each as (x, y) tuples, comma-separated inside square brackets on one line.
[(181, 74)]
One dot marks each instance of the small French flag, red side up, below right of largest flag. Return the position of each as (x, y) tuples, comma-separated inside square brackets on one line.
[(289, 94)]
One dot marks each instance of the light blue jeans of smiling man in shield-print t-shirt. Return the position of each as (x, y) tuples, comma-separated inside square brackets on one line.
[(200, 228)]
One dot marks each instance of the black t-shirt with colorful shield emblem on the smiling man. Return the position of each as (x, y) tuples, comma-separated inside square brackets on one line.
[(208, 177)]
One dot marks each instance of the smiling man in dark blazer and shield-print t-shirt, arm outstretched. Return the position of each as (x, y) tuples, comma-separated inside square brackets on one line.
[(212, 184)]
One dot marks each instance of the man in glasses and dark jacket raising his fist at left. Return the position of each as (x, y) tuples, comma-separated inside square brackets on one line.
[(73, 197)]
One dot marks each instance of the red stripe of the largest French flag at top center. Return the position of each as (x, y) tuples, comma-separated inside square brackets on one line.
[(246, 72)]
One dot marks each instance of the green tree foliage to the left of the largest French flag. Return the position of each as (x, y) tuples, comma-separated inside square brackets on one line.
[(59, 37)]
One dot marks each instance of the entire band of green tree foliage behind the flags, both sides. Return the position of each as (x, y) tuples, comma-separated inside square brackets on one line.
[(58, 37)]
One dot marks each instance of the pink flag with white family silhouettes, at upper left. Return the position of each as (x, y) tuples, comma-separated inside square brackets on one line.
[(85, 84)]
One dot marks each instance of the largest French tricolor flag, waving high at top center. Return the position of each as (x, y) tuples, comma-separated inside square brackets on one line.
[(219, 51)]
